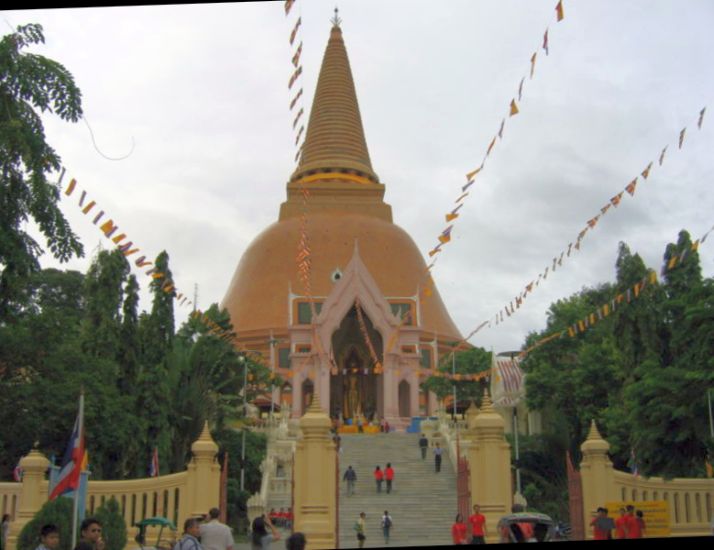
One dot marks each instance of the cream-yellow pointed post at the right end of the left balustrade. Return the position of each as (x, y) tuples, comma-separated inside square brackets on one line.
[(204, 476)]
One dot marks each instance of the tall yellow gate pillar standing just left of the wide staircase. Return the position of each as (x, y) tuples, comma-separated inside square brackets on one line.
[(315, 479)]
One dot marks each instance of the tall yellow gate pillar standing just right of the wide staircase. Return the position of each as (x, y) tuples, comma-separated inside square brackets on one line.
[(489, 456)]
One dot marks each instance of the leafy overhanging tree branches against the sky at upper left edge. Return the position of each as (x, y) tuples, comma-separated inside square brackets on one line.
[(29, 83)]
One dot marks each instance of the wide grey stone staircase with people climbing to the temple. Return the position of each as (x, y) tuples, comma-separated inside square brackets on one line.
[(422, 503)]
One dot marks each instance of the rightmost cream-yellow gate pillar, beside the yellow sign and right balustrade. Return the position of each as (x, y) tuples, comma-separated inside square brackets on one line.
[(597, 476)]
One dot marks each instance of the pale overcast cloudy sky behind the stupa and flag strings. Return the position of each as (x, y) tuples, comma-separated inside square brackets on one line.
[(202, 92)]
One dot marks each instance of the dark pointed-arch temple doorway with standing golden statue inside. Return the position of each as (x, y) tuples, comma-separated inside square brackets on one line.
[(355, 391)]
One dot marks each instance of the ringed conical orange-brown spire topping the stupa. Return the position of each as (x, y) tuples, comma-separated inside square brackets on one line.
[(335, 141)]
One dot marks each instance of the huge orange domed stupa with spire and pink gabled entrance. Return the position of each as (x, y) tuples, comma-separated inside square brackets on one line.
[(365, 274)]
